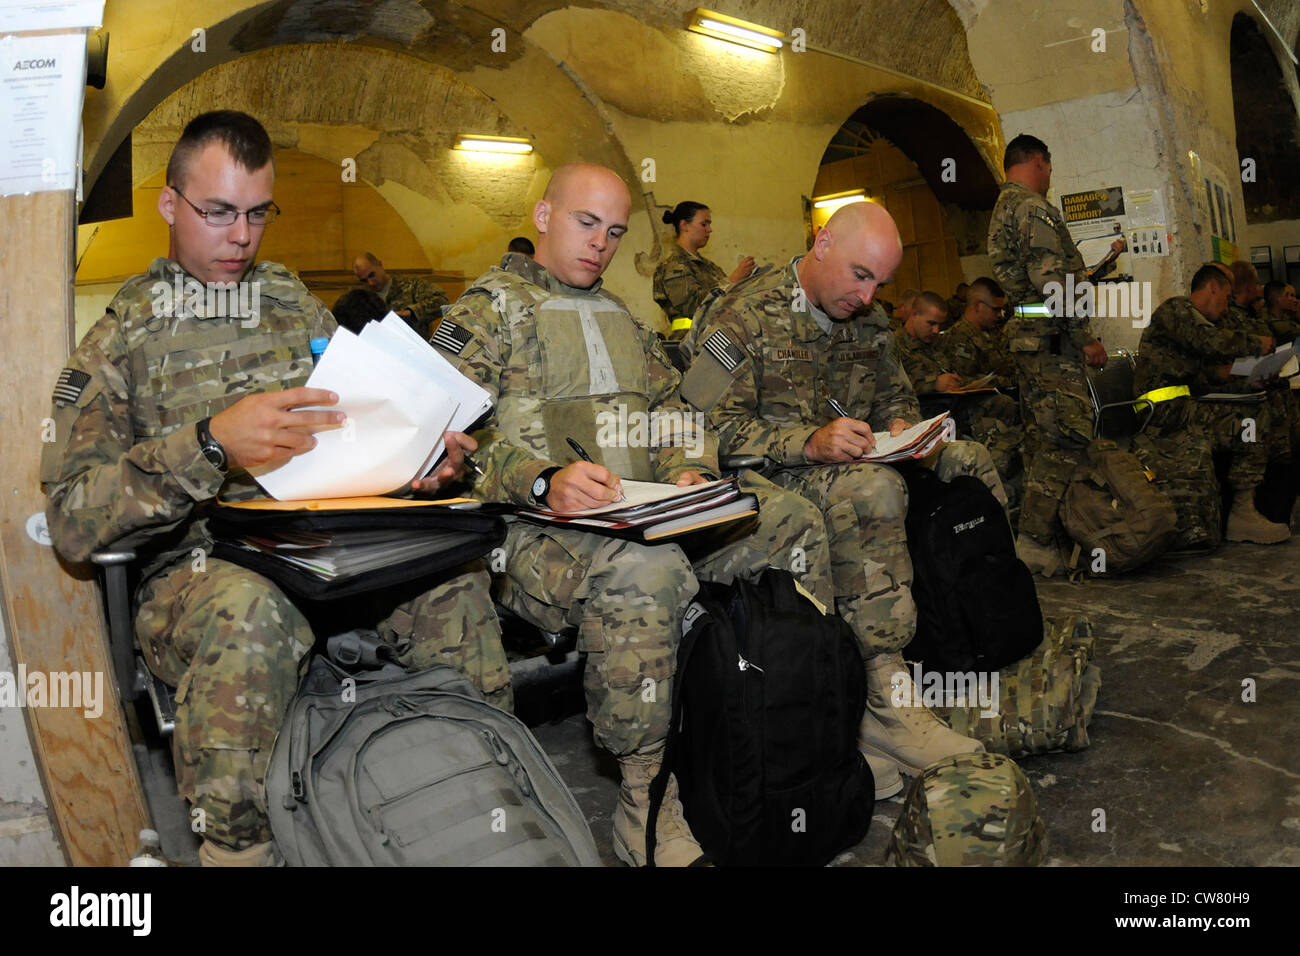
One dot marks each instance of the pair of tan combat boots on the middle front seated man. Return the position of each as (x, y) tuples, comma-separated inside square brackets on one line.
[(674, 843)]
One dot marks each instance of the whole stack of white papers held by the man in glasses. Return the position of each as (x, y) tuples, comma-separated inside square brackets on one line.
[(400, 397)]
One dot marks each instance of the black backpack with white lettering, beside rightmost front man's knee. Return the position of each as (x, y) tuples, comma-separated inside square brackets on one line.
[(977, 609)]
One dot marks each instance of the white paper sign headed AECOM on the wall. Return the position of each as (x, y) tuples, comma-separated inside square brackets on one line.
[(42, 86)]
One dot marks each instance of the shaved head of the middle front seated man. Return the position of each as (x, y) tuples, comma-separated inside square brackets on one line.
[(580, 220)]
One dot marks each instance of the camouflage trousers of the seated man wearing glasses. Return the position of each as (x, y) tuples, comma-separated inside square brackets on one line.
[(236, 648)]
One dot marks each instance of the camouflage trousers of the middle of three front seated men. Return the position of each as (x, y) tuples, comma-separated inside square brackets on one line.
[(627, 600)]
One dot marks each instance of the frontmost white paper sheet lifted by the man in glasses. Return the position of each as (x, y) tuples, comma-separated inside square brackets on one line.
[(396, 418)]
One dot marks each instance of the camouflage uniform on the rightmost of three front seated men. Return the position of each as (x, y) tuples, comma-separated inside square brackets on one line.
[(762, 373)]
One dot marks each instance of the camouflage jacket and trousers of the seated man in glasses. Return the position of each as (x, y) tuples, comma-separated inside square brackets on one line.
[(128, 461)]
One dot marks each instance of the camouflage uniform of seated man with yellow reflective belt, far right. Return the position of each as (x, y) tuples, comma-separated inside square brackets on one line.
[(1181, 347)]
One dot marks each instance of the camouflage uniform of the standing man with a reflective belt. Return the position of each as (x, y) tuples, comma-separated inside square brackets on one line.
[(1029, 246)]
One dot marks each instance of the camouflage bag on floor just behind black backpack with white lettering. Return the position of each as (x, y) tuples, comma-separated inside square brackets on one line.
[(1045, 703)]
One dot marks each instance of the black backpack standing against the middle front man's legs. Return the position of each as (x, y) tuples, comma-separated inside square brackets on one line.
[(765, 729)]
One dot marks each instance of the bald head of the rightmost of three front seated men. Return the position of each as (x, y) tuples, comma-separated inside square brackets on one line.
[(857, 252)]
